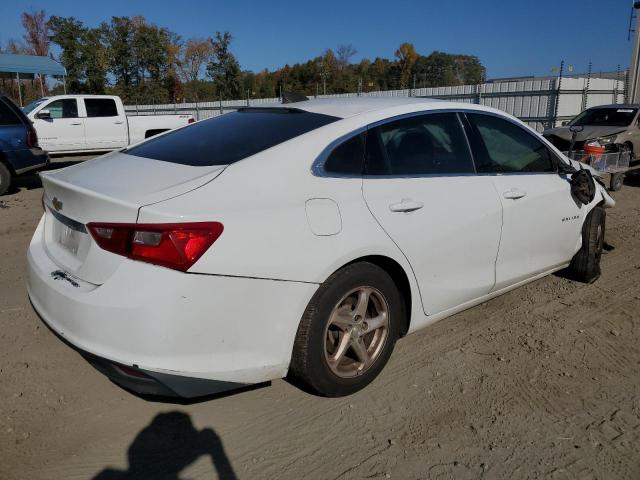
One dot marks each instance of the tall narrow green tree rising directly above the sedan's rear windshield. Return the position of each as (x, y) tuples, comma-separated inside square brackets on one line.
[(224, 69)]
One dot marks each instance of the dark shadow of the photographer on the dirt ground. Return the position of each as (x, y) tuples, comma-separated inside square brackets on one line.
[(168, 445)]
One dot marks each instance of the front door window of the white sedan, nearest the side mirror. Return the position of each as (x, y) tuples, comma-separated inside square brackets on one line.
[(506, 147)]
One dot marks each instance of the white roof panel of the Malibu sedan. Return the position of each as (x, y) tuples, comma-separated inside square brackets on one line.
[(345, 107)]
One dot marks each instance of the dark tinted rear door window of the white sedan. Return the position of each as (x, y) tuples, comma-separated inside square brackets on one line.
[(431, 144)]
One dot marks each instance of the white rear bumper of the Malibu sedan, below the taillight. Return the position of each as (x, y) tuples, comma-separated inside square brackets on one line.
[(177, 329)]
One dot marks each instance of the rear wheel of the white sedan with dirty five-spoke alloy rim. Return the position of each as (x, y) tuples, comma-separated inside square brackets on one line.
[(328, 353)]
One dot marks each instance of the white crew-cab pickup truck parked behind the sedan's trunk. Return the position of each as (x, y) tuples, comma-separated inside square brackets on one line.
[(92, 123)]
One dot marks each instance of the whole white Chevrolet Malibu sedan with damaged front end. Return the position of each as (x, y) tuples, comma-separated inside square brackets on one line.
[(300, 239)]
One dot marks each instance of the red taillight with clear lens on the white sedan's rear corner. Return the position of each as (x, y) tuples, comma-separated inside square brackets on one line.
[(172, 245)]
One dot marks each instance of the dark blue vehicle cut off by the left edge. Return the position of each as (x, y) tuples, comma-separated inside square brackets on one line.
[(19, 150)]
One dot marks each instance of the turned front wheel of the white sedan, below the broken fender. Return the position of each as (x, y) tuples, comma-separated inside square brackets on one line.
[(585, 266)]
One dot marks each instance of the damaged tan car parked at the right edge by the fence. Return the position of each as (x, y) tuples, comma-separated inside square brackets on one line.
[(615, 127)]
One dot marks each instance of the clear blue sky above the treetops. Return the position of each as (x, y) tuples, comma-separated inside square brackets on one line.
[(511, 37)]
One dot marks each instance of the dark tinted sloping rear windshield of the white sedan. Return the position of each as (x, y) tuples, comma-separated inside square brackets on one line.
[(231, 137)]
